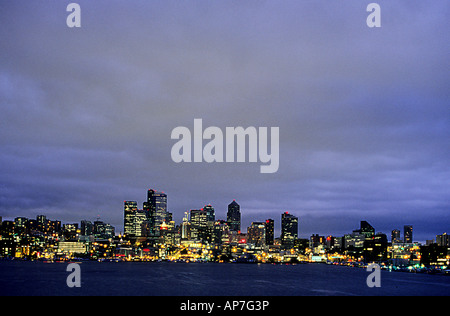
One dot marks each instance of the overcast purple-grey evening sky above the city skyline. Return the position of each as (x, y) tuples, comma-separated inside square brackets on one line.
[(86, 114)]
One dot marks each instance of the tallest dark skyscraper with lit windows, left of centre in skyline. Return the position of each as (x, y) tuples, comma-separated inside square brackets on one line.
[(156, 210)]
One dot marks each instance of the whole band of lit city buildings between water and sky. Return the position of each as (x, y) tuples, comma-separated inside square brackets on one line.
[(150, 233)]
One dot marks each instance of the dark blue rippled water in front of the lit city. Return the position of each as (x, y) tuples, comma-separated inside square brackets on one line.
[(179, 279)]
